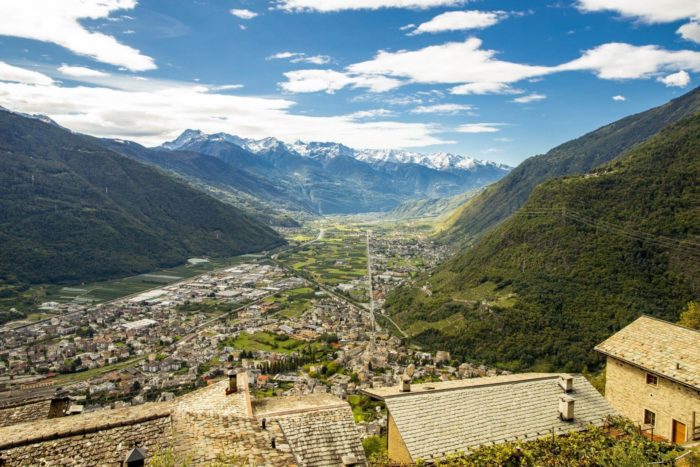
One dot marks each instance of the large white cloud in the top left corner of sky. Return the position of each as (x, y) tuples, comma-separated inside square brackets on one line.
[(57, 22)]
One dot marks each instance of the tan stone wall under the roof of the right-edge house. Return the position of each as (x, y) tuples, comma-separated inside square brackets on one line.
[(627, 391)]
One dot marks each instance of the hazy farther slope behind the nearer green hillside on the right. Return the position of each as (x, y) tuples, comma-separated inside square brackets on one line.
[(578, 156)]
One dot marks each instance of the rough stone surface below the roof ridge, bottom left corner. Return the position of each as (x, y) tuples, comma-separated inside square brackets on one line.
[(106, 447)]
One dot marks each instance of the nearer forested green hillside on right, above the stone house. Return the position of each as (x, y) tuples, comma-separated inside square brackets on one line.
[(583, 257)]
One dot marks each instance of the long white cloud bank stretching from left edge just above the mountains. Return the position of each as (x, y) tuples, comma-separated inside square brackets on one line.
[(155, 111)]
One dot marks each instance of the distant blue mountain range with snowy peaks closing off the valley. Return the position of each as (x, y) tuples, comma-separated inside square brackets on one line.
[(322, 178)]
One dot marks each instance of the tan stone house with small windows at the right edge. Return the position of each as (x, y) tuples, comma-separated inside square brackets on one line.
[(653, 377)]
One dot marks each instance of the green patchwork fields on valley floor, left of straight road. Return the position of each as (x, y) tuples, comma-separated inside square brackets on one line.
[(340, 257)]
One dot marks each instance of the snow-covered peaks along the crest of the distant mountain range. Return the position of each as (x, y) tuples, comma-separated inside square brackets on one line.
[(328, 150)]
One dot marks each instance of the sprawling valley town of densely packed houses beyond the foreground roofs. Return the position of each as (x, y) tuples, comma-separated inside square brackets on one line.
[(292, 335)]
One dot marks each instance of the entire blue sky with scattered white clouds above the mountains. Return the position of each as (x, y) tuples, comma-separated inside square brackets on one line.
[(495, 80)]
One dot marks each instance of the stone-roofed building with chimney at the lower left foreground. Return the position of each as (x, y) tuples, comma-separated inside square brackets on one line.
[(218, 423)]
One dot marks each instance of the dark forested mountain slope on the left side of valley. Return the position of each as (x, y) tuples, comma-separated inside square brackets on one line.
[(71, 210)]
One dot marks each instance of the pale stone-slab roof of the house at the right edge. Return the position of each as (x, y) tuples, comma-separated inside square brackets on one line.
[(660, 347)]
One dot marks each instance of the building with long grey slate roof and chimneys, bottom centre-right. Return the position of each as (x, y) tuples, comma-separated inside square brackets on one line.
[(431, 420)]
